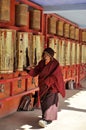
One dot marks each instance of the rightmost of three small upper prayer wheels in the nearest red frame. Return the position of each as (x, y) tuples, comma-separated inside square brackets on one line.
[(35, 19)]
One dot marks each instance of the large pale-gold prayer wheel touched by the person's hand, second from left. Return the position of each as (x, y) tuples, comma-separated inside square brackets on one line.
[(22, 50)]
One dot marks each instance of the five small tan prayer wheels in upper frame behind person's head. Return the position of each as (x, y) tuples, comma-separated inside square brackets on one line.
[(60, 28)]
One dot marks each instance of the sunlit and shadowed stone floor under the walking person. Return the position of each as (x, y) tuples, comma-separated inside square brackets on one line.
[(71, 114)]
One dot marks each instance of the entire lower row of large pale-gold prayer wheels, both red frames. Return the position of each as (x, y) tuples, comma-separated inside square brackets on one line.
[(21, 49)]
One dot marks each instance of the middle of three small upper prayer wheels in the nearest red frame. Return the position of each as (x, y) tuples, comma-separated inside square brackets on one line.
[(22, 13)]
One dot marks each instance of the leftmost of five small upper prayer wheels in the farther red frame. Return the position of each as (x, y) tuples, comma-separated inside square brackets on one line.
[(52, 25)]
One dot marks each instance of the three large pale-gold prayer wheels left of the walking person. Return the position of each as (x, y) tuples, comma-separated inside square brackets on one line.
[(19, 50)]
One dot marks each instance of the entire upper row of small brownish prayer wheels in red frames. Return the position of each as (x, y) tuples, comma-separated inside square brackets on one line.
[(26, 16)]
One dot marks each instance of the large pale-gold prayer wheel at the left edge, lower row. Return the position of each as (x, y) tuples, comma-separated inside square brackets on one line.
[(7, 41)]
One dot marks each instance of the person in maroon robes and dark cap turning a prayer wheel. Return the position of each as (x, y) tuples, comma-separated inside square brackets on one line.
[(50, 83)]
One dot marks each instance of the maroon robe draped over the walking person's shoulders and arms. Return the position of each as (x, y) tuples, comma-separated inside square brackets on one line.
[(50, 77)]
